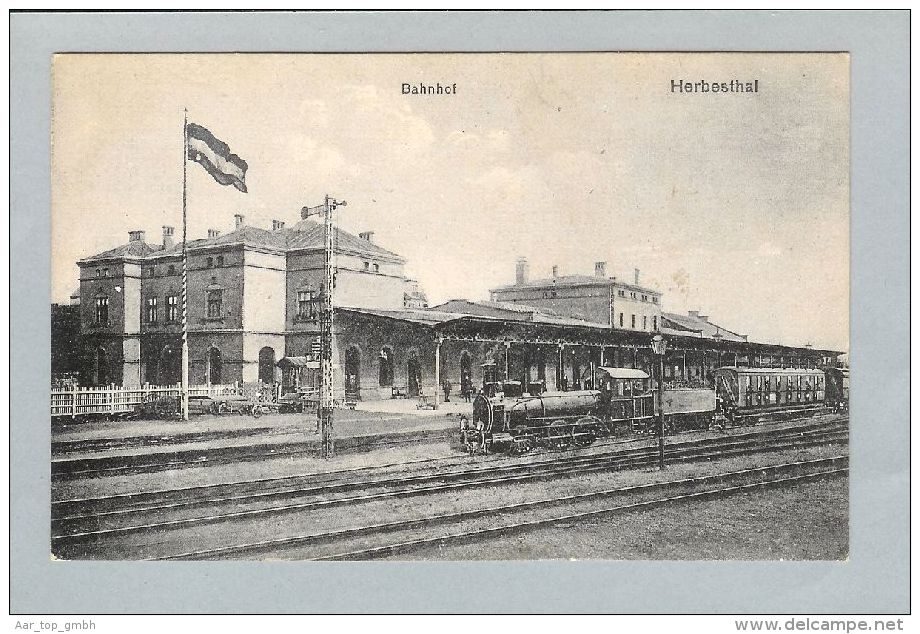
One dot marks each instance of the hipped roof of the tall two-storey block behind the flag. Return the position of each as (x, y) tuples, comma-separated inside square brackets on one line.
[(306, 234)]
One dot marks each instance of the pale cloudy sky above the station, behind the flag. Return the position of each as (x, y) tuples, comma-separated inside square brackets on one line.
[(734, 204)]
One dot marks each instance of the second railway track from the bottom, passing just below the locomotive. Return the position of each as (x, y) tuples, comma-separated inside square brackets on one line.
[(92, 519)]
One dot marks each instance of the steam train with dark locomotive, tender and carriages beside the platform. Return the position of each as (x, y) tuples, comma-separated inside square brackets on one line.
[(504, 418)]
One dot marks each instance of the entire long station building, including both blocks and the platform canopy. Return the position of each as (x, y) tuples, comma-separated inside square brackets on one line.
[(254, 297)]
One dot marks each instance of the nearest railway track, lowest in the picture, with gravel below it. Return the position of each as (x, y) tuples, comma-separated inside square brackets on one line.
[(402, 536)]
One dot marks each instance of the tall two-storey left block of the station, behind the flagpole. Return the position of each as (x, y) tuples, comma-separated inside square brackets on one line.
[(253, 298)]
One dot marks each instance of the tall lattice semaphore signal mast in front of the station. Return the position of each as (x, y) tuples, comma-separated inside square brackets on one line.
[(327, 341)]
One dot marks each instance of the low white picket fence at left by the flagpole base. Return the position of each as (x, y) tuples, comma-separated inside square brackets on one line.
[(114, 399)]
